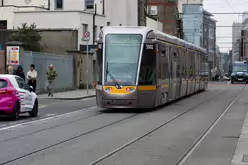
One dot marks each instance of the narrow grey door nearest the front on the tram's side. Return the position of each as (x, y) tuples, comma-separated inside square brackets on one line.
[(173, 73)]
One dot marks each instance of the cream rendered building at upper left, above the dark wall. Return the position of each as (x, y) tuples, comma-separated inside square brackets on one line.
[(79, 15)]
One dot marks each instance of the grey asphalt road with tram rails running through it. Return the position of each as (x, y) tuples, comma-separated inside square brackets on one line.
[(198, 130)]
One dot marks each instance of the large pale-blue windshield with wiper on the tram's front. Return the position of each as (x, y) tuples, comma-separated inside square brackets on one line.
[(121, 58)]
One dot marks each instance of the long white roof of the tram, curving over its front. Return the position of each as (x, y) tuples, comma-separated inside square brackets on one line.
[(158, 35)]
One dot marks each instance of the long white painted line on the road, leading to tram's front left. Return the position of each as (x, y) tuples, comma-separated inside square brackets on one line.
[(48, 118)]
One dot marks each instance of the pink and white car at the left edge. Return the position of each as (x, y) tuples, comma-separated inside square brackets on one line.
[(16, 97)]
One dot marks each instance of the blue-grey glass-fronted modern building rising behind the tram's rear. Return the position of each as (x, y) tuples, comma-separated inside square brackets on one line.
[(199, 28)]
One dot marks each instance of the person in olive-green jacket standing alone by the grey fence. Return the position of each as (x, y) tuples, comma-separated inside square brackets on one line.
[(51, 74)]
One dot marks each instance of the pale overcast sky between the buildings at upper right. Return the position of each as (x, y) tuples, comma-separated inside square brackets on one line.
[(225, 6)]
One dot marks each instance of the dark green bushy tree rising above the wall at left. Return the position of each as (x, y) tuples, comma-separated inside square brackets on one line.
[(29, 36)]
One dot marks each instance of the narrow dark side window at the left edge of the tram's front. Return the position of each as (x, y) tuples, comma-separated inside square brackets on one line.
[(99, 58)]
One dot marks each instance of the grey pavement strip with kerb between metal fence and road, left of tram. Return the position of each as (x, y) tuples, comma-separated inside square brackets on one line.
[(71, 95)]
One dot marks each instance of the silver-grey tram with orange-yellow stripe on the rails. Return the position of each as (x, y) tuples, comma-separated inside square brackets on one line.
[(138, 67)]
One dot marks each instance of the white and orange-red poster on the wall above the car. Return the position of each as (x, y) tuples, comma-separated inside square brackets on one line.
[(13, 55)]
